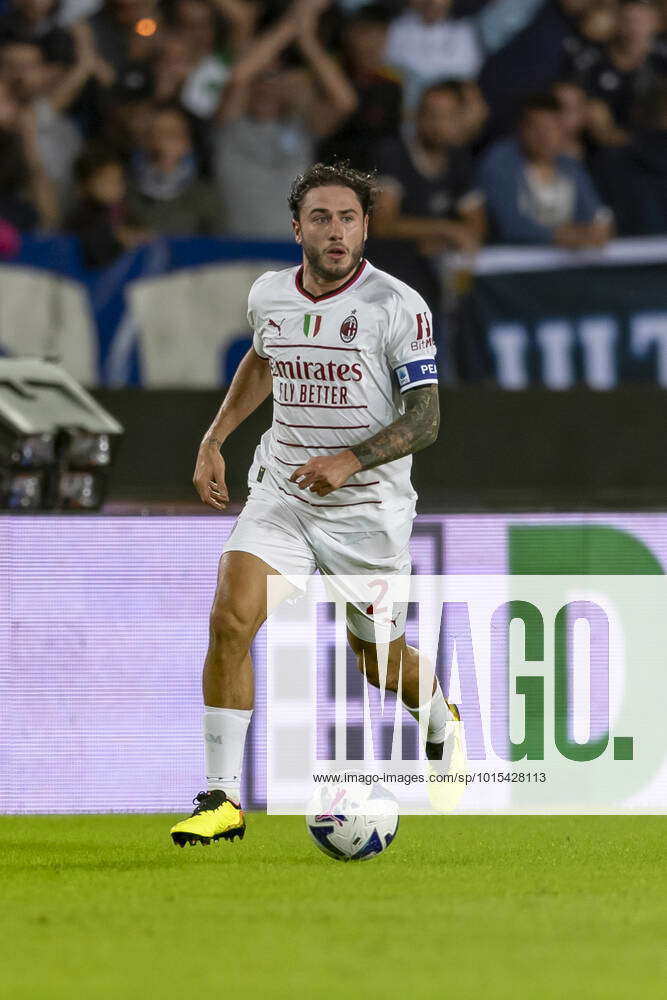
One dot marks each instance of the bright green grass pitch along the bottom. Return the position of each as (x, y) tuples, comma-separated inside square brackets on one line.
[(466, 907)]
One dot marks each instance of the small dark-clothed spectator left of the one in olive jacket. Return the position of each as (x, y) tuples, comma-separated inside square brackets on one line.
[(101, 219)]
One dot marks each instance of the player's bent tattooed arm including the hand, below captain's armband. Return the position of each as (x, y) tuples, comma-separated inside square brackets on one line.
[(415, 429)]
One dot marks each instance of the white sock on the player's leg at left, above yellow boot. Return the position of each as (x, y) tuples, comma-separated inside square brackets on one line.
[(224, 739)]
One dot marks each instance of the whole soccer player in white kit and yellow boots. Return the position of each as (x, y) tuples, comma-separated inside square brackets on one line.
[(348, 353)]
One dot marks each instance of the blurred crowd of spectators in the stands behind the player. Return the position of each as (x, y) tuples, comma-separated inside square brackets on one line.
[(511, 121)]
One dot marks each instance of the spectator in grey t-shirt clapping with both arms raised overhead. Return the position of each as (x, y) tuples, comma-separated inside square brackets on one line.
[(270, 119)]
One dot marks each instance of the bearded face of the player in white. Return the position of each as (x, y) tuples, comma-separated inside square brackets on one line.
[(332, 230)]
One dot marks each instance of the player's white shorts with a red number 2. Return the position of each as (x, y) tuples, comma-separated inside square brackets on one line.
[(271, 529)]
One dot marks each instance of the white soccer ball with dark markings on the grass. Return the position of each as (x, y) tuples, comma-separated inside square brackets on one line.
[(352, 821)]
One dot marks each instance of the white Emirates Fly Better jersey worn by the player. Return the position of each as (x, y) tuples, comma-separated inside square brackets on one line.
[(340, 364)]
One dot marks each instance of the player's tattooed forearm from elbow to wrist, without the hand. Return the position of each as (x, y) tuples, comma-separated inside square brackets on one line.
[(416, 429)]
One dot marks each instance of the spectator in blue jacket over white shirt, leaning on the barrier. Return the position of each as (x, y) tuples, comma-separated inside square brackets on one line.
[(534, 193)]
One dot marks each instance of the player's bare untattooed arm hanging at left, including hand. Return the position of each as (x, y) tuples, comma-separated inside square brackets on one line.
[(250, 386)]
